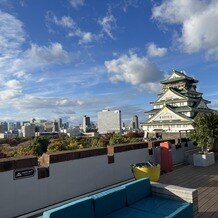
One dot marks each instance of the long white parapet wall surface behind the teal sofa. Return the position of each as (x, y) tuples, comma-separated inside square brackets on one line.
[(69, 179)]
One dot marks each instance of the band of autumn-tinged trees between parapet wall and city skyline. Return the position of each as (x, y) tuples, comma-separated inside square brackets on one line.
[(38, 145)]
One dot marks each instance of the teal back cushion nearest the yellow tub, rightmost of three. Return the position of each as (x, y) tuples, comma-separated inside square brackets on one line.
[(137, 190)]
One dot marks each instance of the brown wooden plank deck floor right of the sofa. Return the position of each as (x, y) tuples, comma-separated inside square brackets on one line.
[(204, 179)]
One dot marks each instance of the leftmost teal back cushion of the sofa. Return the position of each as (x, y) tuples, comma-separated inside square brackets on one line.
[(82, 208)]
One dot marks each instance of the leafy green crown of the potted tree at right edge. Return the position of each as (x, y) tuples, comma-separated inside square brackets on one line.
[(205, 130)]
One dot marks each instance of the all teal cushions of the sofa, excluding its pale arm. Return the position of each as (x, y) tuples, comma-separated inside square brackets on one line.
[(132, 200)]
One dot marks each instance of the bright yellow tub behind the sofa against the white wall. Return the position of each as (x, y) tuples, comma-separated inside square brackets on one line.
[(152, 172)]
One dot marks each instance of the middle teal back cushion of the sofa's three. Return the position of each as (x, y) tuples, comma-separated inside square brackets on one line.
[(109, 201)]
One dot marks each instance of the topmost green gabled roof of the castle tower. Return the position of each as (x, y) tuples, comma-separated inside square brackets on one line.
[(179, 76)]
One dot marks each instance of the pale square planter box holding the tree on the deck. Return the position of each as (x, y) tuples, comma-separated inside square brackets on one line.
[(204, 160)]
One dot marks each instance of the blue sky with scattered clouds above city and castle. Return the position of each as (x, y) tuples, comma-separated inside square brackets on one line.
[(70, 58)]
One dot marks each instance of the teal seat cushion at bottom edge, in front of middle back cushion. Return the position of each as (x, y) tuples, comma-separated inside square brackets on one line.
[(128, 212)]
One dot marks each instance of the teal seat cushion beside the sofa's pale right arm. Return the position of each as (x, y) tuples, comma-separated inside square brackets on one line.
[(164, 207)]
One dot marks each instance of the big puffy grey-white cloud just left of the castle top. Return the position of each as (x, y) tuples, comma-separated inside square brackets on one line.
[(138, 71)]
